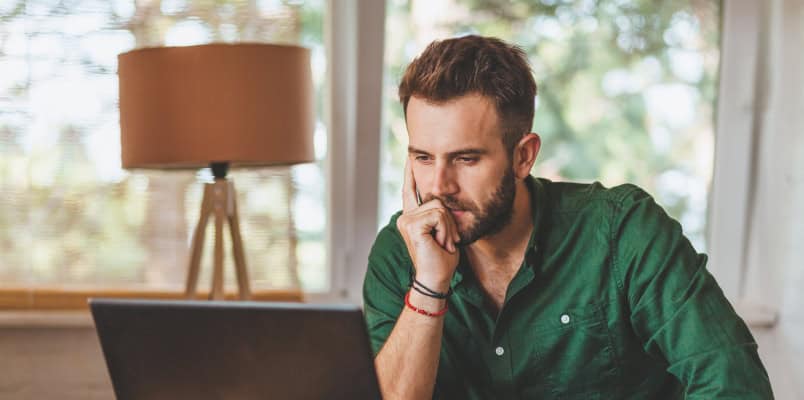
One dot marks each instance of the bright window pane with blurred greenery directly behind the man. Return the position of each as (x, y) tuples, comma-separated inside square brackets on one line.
[(626, 90)]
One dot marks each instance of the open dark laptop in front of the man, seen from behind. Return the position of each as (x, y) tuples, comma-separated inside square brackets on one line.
[(157, 349)]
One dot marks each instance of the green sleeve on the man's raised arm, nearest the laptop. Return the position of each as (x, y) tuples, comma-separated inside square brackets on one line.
[(384, 285)]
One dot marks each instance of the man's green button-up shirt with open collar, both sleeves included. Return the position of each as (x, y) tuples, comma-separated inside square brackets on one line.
[(610, 302)]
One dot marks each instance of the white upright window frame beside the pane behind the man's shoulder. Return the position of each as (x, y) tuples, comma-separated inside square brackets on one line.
[(739, 109)]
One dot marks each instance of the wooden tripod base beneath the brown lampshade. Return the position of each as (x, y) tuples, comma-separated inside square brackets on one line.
[(219, 200)]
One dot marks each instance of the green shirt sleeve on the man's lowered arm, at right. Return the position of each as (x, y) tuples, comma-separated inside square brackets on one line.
[(678, 311)]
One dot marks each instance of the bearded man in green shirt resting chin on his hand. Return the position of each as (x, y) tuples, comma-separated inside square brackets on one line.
[(492, 284)]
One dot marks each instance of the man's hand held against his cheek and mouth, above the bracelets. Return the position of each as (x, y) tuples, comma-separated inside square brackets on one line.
[(430, 235)]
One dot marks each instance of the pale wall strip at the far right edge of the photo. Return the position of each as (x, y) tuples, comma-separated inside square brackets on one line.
[(775, 224)]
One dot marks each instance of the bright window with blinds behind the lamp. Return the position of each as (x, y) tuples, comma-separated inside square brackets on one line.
[(69, 215)]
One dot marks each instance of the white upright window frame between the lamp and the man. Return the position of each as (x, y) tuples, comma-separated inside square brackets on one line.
[(355, 39)]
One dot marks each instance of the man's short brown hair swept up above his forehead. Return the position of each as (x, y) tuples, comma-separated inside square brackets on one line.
[(452, 68)]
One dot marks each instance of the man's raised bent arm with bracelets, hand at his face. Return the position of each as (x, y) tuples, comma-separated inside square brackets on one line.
[(407, 362)]
